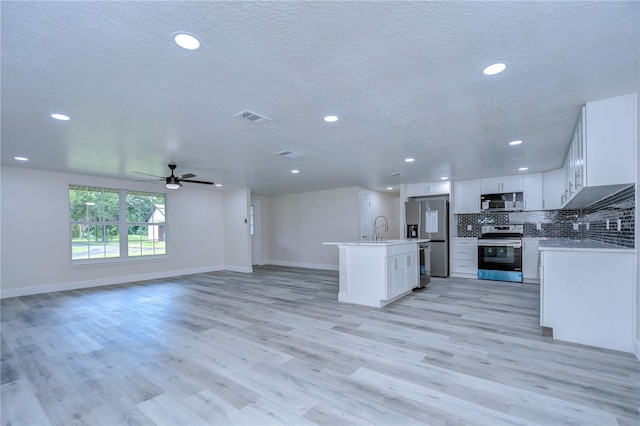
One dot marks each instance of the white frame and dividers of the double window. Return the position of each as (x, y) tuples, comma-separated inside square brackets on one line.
[(123, 225)]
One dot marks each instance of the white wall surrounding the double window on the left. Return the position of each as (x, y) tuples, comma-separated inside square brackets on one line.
[(35, 252)]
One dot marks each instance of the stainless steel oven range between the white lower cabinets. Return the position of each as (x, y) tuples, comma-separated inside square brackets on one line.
[(500, 253)]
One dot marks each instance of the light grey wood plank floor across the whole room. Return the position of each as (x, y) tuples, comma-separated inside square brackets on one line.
[(275, 347)]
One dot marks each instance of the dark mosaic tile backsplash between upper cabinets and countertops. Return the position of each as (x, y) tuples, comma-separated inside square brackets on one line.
[(588, 223)]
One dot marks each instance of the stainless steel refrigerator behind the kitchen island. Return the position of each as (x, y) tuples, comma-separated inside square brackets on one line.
[(431, 218)]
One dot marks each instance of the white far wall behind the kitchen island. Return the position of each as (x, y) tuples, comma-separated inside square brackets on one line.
[(296, 225)]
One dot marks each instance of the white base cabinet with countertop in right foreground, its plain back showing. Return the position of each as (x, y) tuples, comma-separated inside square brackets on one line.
[(587, 296)]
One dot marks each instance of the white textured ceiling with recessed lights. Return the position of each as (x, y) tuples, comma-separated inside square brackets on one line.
[(405, 79)]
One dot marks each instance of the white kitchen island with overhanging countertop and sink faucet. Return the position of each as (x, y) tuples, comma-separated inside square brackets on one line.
[(375, 273)]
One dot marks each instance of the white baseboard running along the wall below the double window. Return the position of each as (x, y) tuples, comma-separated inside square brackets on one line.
[(75, 285)]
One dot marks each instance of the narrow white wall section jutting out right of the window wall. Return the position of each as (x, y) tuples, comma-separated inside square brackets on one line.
[(237, 238)]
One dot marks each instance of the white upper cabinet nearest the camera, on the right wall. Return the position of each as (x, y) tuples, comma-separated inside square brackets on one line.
[(601, 158)]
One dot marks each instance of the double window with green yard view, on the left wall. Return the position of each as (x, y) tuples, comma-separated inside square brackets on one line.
[(111, 223)]
